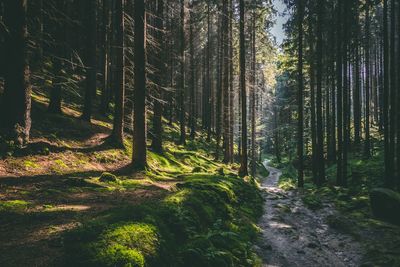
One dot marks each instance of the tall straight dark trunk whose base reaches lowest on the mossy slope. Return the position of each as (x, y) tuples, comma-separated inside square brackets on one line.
[(139, 159)]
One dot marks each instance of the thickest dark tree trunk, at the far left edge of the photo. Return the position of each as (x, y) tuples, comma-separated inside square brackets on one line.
[(16, 105)]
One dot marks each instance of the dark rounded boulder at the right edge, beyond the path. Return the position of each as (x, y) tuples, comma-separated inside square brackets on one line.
[(385, 204)]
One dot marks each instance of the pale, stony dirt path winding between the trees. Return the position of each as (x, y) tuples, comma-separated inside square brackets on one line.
[(293, 235)]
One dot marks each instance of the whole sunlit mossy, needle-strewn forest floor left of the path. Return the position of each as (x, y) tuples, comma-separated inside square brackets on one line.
[(55, 209)]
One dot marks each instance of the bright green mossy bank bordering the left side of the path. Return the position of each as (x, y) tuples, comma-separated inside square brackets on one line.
[(208, 221)]
